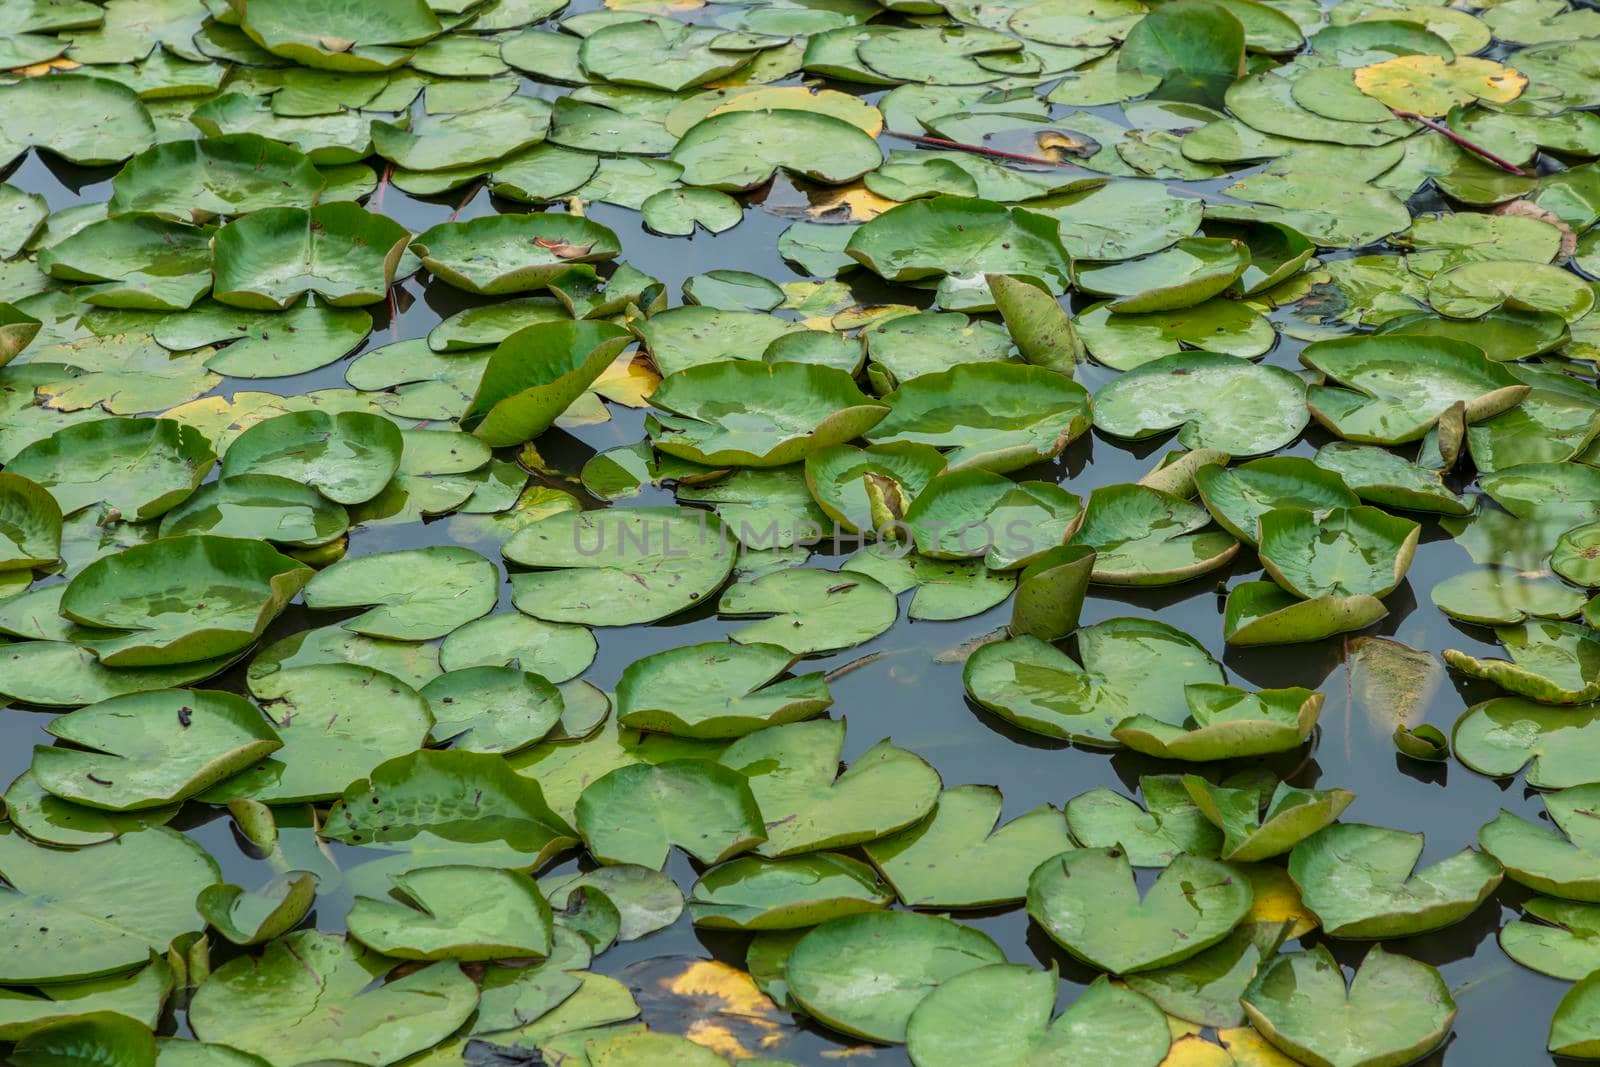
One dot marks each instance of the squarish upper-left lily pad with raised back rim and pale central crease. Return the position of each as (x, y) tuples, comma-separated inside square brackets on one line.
[(340, 252)]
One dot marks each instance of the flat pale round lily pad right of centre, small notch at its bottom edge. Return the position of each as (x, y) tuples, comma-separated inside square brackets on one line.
[(1265, 406)]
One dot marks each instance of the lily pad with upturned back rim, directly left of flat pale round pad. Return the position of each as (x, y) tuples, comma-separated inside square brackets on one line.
[(1028, 415)]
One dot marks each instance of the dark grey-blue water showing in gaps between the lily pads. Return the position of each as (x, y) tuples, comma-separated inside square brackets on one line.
[(910, 695)]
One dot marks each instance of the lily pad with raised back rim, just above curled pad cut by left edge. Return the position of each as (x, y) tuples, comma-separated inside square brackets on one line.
[(137, 468)]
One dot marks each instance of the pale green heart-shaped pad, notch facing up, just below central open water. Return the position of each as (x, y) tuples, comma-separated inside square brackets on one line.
[(961, 857)]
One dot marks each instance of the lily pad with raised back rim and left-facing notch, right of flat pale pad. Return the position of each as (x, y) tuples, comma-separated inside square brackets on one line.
[(1396, 388)]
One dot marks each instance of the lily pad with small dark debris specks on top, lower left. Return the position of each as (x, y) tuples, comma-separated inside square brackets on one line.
[(151, 749)]
